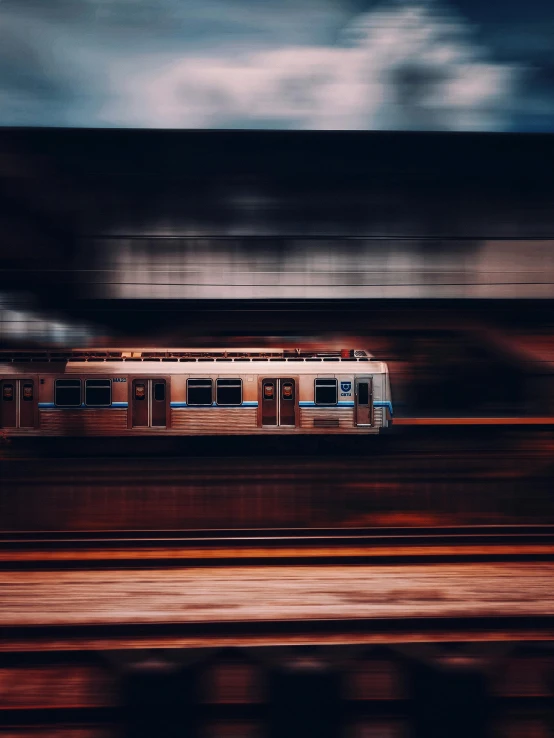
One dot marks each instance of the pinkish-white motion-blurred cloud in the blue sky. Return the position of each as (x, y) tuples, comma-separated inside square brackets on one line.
[(400, 67)]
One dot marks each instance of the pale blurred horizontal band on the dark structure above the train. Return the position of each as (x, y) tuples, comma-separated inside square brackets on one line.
[(319, 268)]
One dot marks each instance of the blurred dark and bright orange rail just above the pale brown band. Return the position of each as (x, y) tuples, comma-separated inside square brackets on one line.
[(319, 546)]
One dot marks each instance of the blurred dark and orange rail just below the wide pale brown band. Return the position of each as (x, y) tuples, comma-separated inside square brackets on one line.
[(274, 632)]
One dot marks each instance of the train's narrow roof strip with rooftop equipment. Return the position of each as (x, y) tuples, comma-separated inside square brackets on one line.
[(184, 355)]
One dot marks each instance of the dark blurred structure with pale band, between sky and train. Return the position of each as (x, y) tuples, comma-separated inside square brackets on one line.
[(433, 251)]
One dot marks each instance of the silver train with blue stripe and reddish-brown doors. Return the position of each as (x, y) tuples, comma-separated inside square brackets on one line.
[(192, 392)]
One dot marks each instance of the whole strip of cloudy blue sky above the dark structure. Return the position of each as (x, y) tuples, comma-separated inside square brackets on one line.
[(466, 65)]
